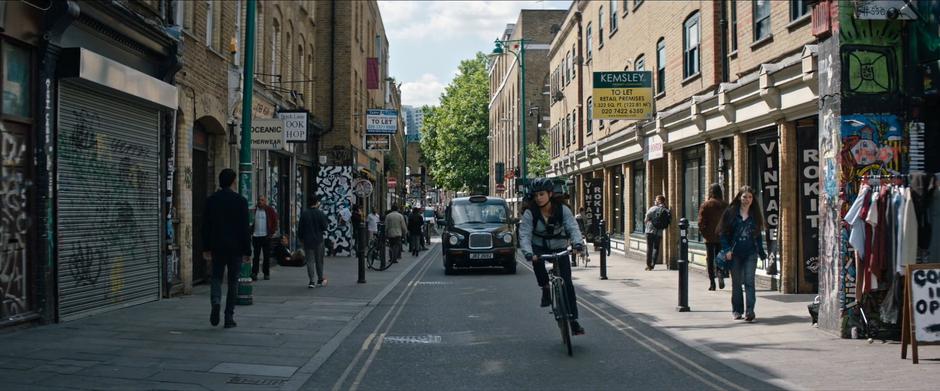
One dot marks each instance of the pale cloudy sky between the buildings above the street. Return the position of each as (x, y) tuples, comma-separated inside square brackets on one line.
[(428, 39)]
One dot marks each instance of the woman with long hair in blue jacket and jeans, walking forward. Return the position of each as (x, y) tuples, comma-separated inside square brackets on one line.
[(742, 244)]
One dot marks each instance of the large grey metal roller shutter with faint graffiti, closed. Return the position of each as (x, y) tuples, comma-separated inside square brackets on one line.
[(108, 201)]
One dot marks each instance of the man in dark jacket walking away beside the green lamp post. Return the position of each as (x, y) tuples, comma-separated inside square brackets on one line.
[(227, 241)]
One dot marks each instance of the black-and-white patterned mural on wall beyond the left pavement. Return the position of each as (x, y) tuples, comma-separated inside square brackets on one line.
[(335, 192)]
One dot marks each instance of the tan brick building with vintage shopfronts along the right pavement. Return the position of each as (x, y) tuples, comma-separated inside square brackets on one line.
[(731, 101)]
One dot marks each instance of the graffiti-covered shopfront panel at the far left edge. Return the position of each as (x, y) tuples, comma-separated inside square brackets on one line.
[(14, 223)]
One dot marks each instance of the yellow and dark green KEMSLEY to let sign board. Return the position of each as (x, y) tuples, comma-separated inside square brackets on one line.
[(623, 95)]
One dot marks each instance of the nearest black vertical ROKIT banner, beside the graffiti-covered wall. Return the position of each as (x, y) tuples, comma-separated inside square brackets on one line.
[(807, 140)]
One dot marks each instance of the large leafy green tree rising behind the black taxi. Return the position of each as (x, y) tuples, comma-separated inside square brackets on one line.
[(454, 140)]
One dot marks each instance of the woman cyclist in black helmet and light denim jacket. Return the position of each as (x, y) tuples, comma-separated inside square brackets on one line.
[(547, 226)]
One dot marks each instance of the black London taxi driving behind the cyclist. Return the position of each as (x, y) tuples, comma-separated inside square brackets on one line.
[(477, 232)]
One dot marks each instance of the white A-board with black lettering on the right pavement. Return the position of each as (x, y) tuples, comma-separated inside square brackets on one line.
[(921, 317)]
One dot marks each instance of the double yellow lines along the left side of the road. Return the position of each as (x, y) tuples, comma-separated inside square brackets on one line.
[(373, 343)]
